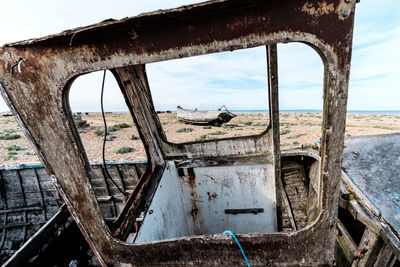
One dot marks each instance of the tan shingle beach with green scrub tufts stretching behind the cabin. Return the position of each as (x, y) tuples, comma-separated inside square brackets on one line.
[(296, 129)]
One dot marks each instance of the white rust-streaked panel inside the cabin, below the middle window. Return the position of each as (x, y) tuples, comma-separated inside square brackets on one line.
[(203, 195)]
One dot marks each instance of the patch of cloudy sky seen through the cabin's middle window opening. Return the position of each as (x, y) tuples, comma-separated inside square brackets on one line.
[(235, 79)]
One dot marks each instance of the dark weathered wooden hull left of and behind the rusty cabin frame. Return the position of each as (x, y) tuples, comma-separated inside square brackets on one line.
[(37, 229)]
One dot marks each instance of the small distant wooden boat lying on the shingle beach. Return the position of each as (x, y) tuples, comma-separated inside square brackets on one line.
[(212, 117)]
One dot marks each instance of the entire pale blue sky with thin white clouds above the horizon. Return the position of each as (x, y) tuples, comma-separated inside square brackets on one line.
[(236, 79)]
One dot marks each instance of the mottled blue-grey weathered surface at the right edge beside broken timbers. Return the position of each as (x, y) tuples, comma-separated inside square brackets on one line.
[(373, 164)]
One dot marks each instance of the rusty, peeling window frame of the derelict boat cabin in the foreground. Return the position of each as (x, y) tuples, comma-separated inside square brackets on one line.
[(36, 76)]
